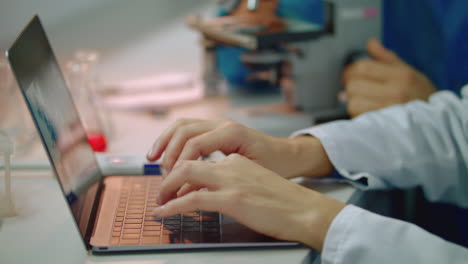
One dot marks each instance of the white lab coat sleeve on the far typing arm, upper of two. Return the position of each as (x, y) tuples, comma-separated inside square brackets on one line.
[(415, 144)]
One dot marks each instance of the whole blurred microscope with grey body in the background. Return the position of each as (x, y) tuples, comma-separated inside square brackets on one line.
[(305, 60)]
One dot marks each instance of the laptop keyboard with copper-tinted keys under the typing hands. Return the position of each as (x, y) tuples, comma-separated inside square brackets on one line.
[(134, 223)]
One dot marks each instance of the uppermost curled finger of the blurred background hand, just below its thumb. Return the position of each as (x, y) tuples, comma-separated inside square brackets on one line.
[(368, 69)]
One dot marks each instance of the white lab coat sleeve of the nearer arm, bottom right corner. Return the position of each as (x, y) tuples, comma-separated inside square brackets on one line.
[(360, 236)]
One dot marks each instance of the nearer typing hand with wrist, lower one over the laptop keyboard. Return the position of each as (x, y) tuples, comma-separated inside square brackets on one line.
[(251, 194)]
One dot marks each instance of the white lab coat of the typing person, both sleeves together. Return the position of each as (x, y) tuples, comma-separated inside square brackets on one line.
[(416, 144)]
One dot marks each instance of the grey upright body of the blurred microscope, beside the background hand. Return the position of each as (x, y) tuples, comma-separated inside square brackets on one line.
[(316, 76)]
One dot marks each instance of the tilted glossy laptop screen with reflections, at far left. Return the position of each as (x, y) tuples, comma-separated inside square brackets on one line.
[(56, 118)]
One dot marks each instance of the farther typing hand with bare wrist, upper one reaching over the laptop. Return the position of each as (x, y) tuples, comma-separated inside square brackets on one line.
[(189, 139)]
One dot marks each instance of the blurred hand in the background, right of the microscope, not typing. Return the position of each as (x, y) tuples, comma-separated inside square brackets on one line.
[(385, 80)]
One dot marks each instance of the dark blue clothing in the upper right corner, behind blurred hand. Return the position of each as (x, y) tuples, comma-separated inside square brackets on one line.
[(432, 36)]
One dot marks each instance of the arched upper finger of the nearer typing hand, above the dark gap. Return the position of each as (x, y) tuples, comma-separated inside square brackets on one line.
[(192, 172)]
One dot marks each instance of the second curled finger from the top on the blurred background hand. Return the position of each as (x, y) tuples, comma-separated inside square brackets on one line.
[(366, 88)]
